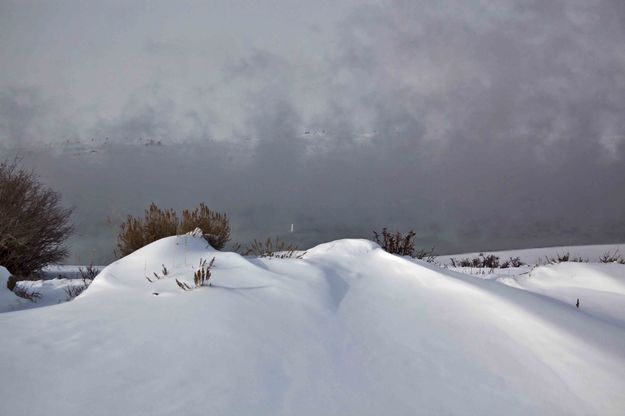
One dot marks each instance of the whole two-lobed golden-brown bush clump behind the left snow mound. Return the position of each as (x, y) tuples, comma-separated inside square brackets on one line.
[(158, 223)]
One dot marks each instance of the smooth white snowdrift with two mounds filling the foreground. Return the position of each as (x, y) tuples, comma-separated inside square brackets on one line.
[(348, 329)]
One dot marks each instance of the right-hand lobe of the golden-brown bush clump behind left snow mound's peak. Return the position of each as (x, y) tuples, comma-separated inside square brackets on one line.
[(214, 225)]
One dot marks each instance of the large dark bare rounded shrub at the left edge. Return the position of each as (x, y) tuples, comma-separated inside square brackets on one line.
[(33, 224)]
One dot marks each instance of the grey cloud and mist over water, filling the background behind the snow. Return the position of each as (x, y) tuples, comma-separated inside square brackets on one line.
[(479, 124)]
